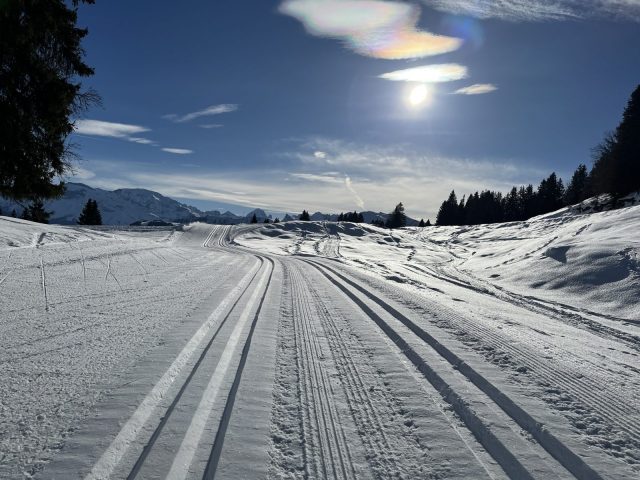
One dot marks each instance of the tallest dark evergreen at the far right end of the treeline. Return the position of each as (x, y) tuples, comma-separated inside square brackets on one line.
[(616, 169)]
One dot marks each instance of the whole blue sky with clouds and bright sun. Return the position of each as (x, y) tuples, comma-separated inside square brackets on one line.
[(295, 104)]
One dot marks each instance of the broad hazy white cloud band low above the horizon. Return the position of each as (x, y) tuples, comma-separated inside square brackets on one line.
[(378, 178)]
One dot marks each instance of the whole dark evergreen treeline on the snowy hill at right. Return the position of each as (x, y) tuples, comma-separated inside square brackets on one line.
[(616, 171)]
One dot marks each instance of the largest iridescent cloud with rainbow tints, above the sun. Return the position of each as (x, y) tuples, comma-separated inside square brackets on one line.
[(373, 28)]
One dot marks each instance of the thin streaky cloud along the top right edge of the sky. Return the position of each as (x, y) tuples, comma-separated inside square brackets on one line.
[(538, 10)]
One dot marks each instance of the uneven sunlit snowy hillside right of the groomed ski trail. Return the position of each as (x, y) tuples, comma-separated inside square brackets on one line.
[(591, 261)]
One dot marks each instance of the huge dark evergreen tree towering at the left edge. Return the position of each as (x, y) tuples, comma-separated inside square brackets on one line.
[(41, 60)]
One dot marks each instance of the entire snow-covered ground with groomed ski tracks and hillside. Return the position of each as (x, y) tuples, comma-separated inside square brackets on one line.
[(322, 350)]
